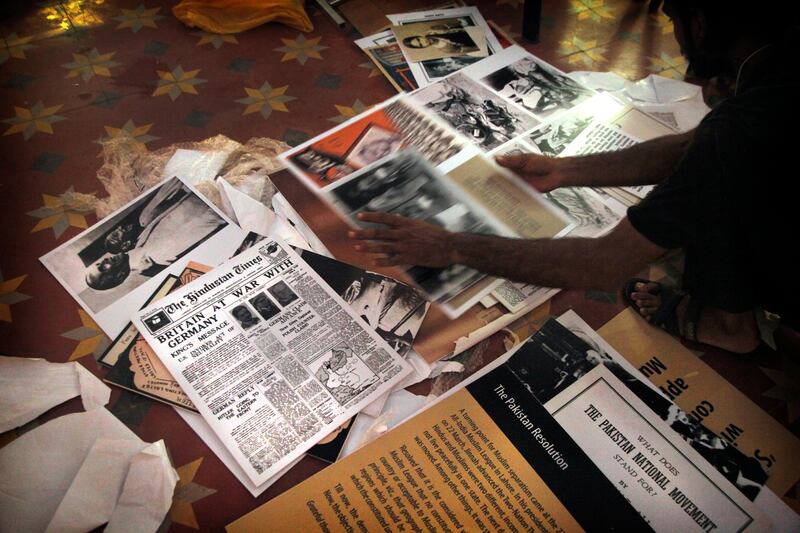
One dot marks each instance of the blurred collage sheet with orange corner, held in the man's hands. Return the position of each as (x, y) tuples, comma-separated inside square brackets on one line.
[(510, 102)]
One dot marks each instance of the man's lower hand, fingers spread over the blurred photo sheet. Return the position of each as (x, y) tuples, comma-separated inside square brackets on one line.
[(405, 241)]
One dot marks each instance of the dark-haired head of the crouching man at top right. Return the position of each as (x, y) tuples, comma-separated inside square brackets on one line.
[(711, 32)]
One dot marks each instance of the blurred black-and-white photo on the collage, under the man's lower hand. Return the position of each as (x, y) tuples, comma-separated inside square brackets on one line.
[(407, 185)]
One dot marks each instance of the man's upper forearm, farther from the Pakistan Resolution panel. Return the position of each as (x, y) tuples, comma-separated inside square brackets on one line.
[(646, 163)]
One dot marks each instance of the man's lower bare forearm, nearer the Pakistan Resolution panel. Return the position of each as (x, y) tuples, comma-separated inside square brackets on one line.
[(577, 263)]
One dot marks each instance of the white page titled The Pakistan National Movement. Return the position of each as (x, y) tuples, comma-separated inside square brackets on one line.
[(665, 478)]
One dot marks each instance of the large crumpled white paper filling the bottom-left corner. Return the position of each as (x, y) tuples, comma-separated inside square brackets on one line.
[(39, 467)]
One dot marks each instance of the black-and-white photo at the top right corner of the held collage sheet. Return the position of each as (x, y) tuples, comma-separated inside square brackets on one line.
[(538, 88)]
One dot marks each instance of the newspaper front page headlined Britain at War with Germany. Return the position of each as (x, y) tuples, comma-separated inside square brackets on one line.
[(272, 357)]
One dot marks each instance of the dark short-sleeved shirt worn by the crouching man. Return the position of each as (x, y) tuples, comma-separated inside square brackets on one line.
[(730, 203)]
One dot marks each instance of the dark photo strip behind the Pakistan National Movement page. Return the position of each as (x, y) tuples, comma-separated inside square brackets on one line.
[(557, 356)]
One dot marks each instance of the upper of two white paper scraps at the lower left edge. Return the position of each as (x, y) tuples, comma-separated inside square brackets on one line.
[(30, 387)]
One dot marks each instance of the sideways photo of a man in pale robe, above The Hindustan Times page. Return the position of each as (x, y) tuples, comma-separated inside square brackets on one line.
[(138, 243)]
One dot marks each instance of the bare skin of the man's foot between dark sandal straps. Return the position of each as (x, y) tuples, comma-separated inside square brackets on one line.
[(735, 332)]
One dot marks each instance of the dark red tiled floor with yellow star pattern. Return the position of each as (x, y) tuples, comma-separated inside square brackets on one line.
[(73, 73)]
